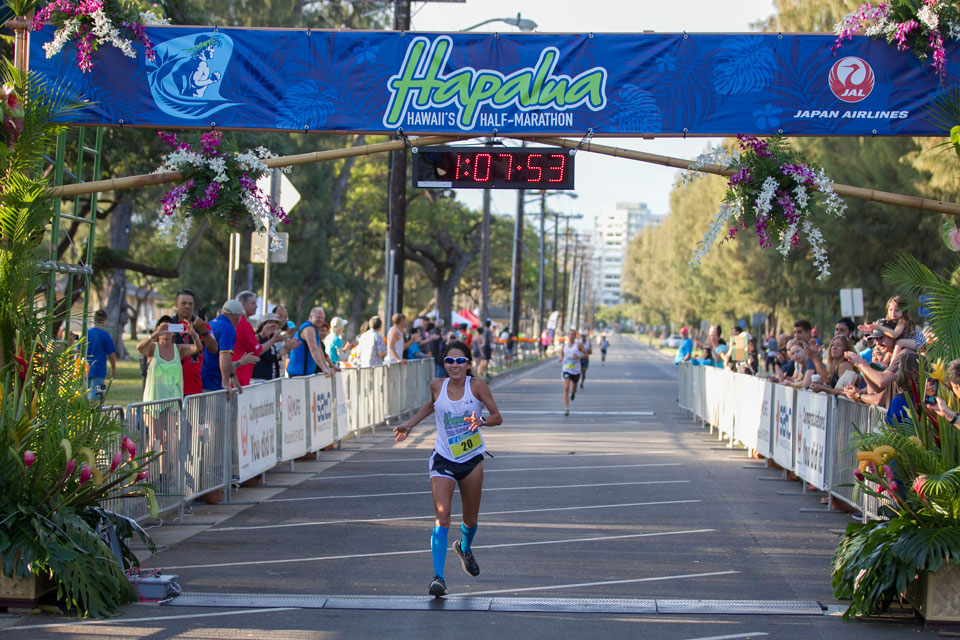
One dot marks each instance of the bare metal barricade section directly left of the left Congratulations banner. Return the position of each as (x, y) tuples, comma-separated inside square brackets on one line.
[(207, 439)]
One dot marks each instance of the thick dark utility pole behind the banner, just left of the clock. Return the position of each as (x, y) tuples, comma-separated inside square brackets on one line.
[(396, 200)]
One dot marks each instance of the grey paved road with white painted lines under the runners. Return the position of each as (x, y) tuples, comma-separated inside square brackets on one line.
[(624, 499)]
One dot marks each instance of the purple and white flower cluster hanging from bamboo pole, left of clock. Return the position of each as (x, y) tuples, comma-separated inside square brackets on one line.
[(218, 183)]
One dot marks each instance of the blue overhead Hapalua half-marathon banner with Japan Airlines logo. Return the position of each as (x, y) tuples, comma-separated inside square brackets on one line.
[(506, 84)]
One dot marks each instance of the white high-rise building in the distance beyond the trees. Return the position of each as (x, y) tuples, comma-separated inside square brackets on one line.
[(611, 235)]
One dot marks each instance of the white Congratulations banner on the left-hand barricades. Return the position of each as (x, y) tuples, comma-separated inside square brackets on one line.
[(256, 430)]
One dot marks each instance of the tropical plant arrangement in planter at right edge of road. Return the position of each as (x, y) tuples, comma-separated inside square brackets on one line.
[(913, 470)]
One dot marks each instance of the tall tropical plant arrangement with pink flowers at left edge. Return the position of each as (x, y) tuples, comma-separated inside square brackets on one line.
[(61, 459)]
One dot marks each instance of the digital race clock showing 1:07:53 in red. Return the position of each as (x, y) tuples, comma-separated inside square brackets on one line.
[(492, 168)]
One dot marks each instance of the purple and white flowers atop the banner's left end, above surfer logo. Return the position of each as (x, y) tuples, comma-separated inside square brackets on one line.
[(94, 23)]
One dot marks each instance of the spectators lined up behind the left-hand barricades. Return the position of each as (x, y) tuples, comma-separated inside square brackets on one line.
[(189, 353)]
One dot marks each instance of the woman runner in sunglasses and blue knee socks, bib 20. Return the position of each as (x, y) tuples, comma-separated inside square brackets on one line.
[(457, 458)]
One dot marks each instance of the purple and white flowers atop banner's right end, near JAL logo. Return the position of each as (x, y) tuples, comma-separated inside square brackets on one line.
[(920, 27)]
